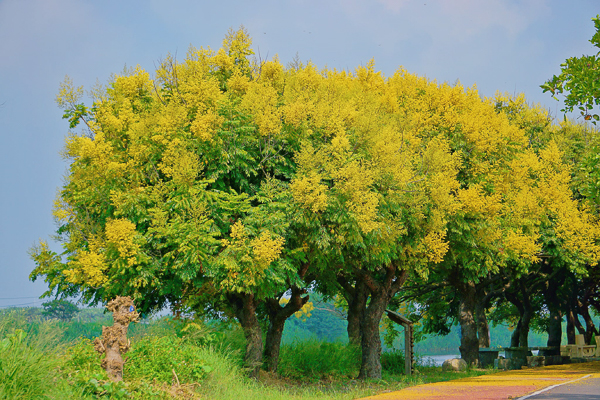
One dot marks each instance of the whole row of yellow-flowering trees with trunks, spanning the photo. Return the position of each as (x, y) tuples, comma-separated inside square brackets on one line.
[(224, 186)]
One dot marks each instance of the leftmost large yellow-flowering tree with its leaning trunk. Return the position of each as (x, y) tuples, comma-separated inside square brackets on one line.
[(176, 189)]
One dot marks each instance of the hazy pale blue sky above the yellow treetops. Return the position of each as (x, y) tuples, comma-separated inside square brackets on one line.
[(507, 46)]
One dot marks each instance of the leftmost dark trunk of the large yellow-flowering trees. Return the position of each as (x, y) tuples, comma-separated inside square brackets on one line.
[(245, 308)]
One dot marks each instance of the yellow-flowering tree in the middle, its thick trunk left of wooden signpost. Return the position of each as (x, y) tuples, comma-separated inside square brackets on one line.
[(372, 196)]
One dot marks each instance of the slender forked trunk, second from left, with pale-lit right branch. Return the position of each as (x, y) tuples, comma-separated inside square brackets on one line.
[(277, 317)]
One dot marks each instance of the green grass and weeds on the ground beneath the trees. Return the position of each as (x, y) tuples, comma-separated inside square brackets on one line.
[(41, 359)]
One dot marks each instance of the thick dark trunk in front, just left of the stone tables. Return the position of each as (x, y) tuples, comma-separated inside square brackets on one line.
[(469, 343)]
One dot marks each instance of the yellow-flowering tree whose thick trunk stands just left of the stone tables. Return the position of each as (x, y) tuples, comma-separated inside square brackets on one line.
[(511, 189)]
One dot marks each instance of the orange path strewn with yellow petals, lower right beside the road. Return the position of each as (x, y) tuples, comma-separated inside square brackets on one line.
[(502, 385)]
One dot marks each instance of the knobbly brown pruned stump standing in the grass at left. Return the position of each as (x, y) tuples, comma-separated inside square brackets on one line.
[(114, 342)]
